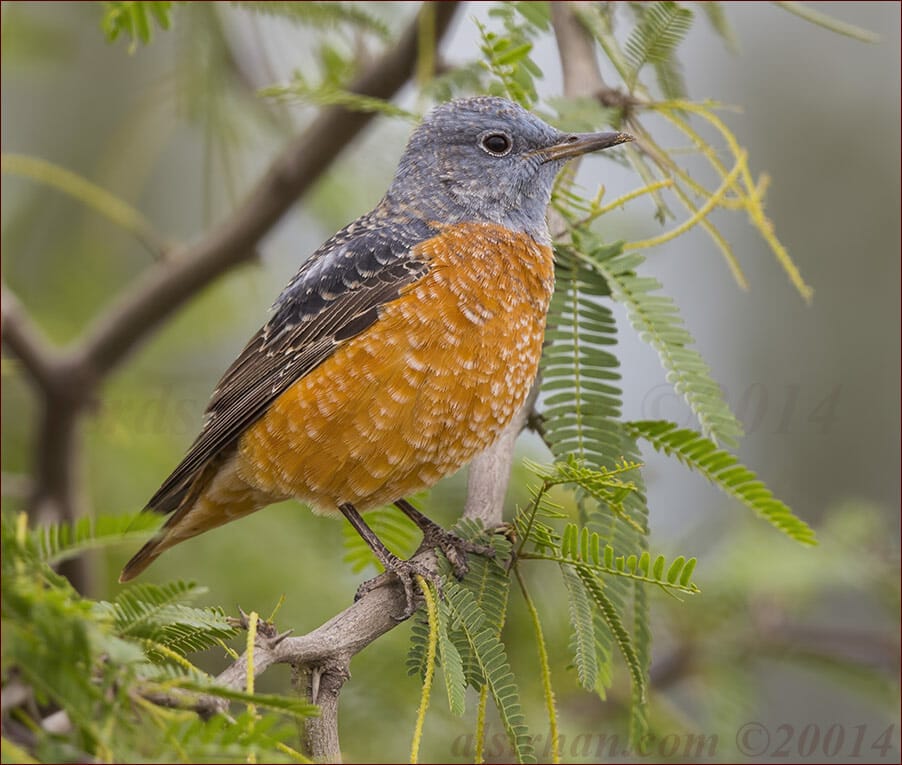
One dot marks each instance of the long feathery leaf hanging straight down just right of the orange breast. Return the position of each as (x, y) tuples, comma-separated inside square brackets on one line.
[(582, 419)]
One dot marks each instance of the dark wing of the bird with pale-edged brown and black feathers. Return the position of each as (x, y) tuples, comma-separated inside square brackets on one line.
[(336, 295)]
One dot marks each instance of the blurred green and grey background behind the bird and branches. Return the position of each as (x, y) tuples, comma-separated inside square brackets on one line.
[(780, 634)]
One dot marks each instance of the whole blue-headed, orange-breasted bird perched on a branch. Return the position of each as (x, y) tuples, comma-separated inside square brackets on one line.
[(400, 350)]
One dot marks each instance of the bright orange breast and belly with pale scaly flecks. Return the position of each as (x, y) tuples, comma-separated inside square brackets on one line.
[(418, 394)]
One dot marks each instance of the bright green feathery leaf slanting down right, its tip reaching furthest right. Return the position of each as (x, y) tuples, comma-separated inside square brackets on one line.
[(724, 470)]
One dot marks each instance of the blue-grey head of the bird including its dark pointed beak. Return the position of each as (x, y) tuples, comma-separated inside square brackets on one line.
[(487, 159)]
